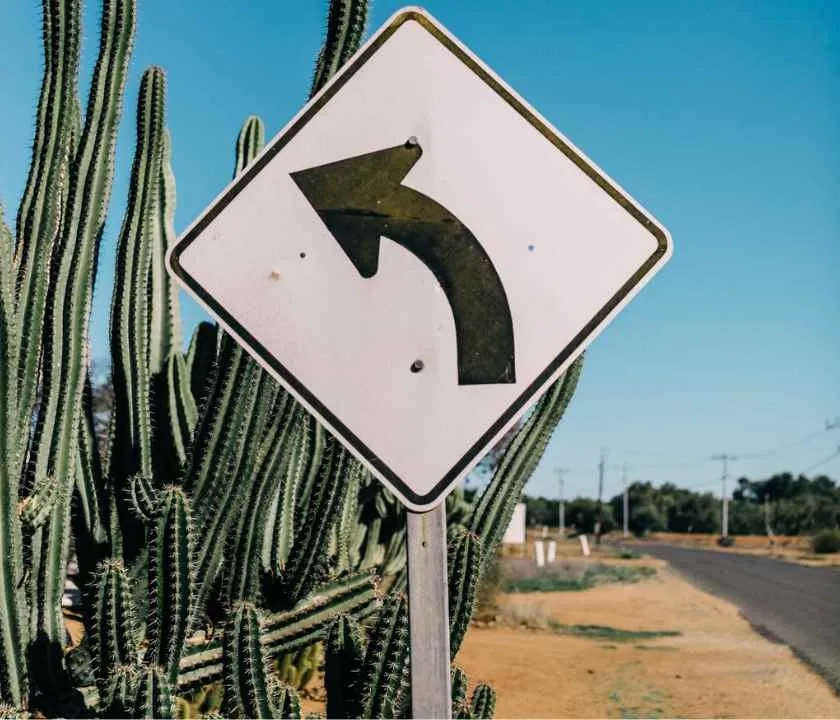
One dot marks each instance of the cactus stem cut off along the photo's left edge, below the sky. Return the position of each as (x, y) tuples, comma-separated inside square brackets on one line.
[(13, 626)]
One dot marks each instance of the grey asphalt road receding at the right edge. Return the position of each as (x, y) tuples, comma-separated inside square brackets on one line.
[(793, 604)]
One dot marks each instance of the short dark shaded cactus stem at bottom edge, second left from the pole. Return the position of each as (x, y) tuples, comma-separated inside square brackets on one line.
[(345, 652)]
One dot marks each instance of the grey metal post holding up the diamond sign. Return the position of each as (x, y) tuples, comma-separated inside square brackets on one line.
[(428, 614)]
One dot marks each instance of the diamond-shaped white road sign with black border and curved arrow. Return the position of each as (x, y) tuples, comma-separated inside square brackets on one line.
[(417, 255)]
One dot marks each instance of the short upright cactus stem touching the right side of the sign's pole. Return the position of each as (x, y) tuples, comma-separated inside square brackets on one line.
[(464, 566)]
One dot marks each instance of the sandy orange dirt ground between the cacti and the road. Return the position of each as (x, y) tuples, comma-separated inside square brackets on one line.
[(718, 667)]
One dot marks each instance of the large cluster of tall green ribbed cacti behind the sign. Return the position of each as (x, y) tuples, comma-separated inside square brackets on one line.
[(226, 543)]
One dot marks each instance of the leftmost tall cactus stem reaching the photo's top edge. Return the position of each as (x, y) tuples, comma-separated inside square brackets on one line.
[(40, 213)]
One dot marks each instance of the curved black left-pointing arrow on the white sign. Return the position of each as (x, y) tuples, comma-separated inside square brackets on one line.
[(360, 199)]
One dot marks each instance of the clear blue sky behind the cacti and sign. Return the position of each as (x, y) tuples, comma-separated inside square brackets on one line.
[(721, 117)]
